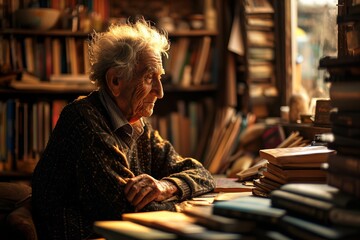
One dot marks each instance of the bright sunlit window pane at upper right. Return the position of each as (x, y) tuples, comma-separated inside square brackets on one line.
[(316, 37)]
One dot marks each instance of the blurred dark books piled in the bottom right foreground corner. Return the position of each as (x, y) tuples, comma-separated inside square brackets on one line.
[(317, 211)]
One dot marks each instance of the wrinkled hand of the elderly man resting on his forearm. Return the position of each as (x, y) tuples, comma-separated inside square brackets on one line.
[(143, 189)]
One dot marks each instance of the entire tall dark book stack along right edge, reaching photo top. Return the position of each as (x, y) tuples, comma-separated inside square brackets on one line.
[(344, 77)]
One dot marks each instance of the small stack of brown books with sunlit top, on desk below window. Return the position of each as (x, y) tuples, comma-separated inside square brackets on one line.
[(291, 165)]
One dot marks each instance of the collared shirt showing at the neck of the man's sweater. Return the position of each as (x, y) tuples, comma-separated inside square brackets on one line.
[(126, 131)]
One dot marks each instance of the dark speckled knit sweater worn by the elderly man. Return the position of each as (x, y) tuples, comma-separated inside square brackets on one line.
[(80, 176)]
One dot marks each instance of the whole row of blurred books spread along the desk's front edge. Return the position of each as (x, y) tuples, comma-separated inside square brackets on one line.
[(295, 211)]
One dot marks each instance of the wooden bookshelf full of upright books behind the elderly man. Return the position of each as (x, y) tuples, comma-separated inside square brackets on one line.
[(28, 108)]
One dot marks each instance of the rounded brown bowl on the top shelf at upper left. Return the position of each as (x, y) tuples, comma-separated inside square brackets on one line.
[(36, 18)]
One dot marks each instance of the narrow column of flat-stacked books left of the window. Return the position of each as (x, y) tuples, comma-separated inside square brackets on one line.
[(260, 29)]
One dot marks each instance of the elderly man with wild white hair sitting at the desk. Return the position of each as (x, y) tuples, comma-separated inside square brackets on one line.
[(103, 158)]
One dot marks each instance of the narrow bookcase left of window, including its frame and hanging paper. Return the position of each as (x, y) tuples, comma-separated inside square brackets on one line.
[(257, 55)]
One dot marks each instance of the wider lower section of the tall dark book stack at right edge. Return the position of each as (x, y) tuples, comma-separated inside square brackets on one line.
[(343, 169)]
